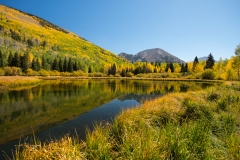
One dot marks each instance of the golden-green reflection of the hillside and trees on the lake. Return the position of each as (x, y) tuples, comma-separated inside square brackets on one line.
[(56, 101)]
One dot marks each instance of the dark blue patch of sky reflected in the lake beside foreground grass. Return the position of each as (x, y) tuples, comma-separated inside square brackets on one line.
[(104, 113)]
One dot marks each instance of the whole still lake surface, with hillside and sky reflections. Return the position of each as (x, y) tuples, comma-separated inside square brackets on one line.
[(58, 107)]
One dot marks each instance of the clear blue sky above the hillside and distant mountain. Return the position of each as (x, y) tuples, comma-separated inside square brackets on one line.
[(184, 28)]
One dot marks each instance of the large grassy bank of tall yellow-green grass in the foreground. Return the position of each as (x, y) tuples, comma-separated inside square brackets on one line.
[(194, 125)]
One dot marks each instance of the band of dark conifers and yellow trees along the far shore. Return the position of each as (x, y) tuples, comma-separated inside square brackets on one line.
[(222, 69)]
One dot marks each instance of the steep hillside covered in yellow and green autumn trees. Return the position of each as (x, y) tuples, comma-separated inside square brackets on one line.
[(23, 34)]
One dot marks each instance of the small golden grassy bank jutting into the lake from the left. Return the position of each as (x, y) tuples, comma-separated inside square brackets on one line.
[(17, 82)]
